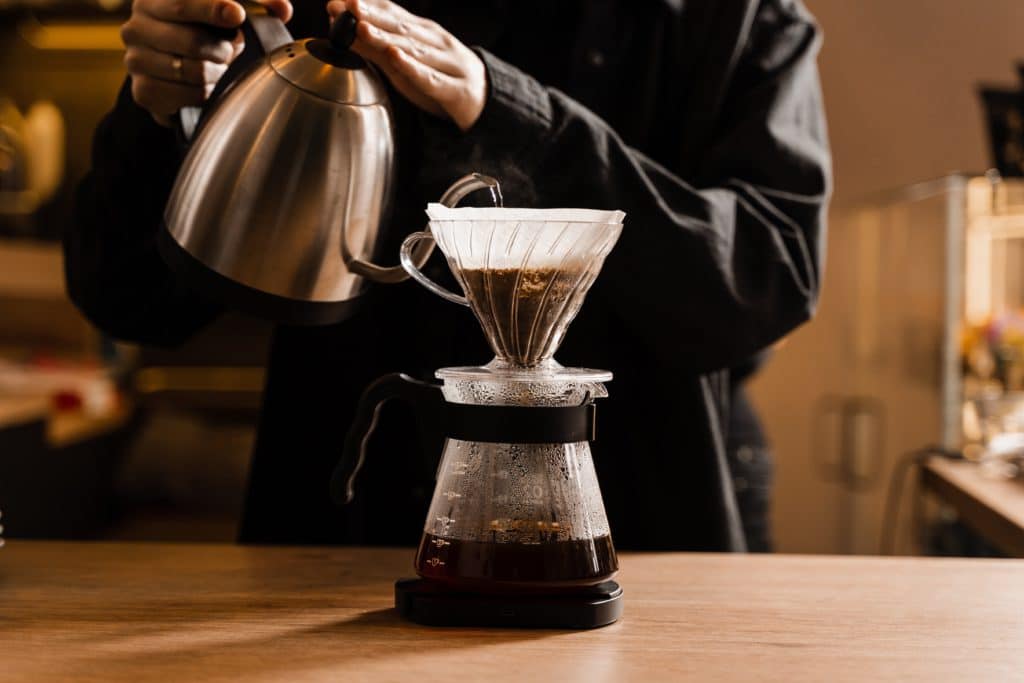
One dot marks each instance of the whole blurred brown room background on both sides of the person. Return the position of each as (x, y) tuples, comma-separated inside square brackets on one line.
[(918, 350)]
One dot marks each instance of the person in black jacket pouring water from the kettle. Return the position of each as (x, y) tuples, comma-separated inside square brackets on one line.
[(701, 119)]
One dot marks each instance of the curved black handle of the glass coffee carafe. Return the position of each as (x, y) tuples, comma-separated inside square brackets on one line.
[(395, 386)]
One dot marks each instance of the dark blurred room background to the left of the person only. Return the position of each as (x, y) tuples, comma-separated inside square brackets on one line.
[(97, 439)]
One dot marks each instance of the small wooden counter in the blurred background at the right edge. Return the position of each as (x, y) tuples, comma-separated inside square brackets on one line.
[(995, 508)]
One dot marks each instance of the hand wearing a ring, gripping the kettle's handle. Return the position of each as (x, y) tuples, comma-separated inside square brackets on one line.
[(175, 59)]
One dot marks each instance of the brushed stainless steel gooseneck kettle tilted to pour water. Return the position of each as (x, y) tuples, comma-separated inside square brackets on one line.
[(278, 207)]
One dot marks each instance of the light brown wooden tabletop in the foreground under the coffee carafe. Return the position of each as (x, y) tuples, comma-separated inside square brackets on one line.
[(176, 613)]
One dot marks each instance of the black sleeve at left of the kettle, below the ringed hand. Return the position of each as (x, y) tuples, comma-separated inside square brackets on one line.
[(114, 273)]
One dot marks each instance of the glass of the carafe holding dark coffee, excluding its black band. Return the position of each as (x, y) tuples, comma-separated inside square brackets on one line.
[(518, 517)]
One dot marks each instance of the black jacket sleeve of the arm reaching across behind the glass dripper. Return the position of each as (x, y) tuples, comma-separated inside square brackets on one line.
[(709, 270)]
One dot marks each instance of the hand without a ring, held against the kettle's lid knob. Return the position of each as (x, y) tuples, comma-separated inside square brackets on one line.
[(425, 63)]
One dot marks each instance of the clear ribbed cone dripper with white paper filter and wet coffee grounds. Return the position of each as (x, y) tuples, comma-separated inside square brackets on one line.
[(525, 272)]
